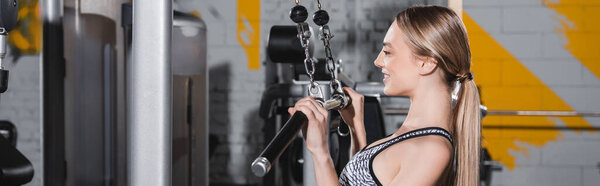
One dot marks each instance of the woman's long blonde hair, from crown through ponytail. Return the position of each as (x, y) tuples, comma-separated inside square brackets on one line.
[(437, 32)]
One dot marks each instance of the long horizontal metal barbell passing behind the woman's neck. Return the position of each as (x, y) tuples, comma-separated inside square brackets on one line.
[(395, 111)]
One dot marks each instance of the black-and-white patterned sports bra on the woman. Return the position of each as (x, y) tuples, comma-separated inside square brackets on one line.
[(359, 170)]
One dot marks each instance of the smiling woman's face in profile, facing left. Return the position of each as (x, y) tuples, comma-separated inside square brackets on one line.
[(397, 63)]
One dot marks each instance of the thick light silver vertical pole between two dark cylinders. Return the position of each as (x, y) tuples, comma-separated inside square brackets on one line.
[(149, 94)]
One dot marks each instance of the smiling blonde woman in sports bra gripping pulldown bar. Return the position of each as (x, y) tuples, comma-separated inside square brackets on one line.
[(426, 57)]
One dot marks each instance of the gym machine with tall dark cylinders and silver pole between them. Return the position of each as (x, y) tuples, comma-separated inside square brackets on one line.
[(160, 83)]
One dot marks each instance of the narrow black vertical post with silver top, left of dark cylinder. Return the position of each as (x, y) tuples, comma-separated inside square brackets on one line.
[(52, 76)]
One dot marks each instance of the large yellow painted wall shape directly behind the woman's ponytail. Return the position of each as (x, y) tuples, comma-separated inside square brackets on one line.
[(506, 84)]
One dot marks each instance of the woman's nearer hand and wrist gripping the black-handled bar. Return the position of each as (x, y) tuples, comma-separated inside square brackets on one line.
[(315, 133)]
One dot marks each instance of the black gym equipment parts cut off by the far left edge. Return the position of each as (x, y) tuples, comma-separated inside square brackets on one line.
[(15, 169)]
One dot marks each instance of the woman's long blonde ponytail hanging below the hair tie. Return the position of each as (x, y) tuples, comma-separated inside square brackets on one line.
[(467, 135)]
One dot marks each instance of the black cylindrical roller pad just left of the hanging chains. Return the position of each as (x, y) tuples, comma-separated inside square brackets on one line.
[(284, 45)]
